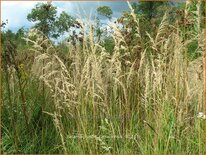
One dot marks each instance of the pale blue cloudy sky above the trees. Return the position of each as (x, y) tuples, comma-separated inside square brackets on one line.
[(16, 11)]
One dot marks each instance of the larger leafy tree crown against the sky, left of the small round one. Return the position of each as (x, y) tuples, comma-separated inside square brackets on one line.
[(45, 14)]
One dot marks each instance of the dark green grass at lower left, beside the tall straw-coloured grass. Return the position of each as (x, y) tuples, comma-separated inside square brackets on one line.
[(40, 135)]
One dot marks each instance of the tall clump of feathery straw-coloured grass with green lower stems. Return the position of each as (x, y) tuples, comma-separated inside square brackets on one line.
[(141, 98)]
